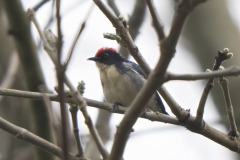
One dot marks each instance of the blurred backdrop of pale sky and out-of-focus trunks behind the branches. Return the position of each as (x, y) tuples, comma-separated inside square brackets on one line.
[(211, 26)]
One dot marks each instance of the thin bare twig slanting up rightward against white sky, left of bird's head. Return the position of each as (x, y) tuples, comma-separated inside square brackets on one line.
[(77, 36)]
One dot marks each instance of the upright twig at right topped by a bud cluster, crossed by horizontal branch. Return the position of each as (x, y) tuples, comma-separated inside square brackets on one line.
[(220, 57)]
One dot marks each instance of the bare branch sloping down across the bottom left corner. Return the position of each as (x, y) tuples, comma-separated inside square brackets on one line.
[(27, 136)]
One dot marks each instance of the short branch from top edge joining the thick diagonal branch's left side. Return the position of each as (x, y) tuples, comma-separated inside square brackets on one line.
[(156, 20)]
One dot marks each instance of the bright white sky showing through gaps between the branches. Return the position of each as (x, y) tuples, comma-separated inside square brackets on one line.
[(153, 140)]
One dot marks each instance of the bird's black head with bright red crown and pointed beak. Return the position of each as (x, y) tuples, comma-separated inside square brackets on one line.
[(107, 56)]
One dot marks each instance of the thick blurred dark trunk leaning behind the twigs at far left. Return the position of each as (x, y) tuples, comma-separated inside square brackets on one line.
[(19, 28)]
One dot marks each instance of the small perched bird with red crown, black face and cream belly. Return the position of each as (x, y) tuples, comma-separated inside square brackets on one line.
[(122, 79)]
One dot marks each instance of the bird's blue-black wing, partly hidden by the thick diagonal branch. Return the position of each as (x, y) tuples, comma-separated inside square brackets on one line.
[(138, 69)]
